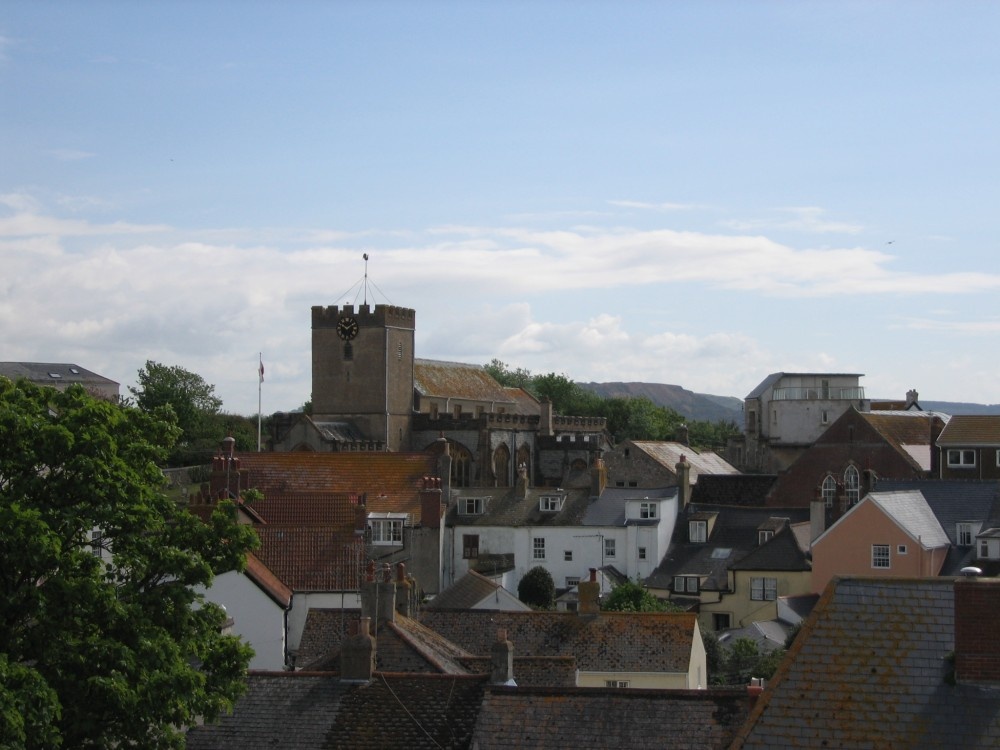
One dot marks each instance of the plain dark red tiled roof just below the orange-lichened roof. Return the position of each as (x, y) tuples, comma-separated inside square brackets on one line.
[(312, 558)]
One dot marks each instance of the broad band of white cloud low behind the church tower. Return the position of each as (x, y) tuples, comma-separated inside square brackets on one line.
[(210, 301)]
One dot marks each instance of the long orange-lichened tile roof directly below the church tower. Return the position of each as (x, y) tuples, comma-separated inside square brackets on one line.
[(390, 481)]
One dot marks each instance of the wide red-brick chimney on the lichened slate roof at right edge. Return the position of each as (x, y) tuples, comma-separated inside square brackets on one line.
[(977, 614)]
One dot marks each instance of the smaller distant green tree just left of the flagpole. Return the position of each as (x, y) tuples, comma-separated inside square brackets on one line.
[(193, 402)]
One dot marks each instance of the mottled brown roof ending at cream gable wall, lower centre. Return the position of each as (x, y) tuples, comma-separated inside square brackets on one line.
[(607, 642)]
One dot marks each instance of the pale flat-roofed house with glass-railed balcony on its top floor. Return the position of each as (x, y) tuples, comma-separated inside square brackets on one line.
[(787, 411)]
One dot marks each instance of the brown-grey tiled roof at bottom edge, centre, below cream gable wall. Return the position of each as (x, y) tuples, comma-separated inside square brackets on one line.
[(613, 719)]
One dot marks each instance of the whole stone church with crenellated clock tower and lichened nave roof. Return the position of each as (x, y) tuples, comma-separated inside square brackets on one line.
[(371, 393)]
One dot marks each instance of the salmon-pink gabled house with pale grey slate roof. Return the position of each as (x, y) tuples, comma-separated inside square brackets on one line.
[(887, 534)]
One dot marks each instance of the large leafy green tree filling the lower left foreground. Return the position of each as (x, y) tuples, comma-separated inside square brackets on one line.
[(104, 642)]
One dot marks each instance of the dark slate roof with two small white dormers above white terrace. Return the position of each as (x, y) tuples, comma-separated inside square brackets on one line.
[(507, 507)]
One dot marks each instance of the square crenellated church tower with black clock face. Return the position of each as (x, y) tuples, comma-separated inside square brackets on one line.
[(362, 364)]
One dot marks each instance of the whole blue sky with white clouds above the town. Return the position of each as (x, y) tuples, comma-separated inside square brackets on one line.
[(697, 193)]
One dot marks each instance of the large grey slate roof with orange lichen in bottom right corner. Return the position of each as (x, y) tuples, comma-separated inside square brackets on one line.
[(870, 669)]
